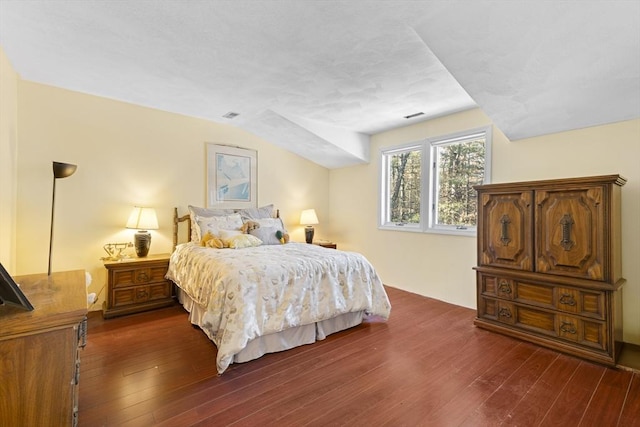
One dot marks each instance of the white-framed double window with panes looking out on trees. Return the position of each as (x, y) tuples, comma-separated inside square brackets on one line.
[(428, 185)]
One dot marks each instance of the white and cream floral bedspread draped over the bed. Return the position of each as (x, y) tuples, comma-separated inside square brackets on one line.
[(256, 291)]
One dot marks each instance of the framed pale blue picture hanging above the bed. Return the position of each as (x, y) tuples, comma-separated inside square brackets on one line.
[(231, 177)]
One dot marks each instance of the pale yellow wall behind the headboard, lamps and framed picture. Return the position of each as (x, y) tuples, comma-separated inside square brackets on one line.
[(129, 155)]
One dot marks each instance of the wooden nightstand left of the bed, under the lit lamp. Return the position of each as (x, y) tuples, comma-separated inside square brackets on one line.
[(137, 284)]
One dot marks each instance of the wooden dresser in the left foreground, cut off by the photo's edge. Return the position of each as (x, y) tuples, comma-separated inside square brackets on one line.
[(39, 357)]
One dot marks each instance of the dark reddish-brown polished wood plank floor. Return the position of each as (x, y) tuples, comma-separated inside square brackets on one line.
[(428, 365)]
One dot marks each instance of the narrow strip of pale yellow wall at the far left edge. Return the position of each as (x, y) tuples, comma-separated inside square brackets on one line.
[(8, 161)]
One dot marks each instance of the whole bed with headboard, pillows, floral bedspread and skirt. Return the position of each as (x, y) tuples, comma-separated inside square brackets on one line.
[(268, 297)]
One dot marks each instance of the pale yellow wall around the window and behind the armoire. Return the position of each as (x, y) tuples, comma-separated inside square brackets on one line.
[(440, 266)]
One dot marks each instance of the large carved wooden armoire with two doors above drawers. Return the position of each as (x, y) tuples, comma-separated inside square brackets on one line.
[(549, 264)]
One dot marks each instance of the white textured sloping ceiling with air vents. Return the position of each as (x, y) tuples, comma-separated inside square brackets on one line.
[(319, 77)]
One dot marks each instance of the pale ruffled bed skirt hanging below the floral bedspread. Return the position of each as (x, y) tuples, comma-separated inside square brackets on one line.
[(284, 340)]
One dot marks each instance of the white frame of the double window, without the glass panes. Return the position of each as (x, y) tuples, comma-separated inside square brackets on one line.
[(428, 180)]
